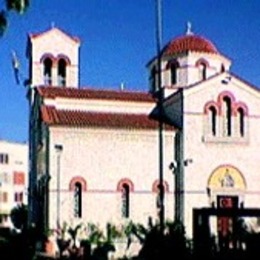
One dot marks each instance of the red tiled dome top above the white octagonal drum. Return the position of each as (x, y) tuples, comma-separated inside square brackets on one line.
[(187, 43)]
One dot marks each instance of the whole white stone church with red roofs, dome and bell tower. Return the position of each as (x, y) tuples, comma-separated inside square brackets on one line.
[(94, 152)]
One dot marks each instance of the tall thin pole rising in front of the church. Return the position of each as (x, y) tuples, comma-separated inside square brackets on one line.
[(160, 101)]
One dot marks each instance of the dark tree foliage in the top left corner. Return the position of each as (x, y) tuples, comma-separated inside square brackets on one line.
[(18, 6)]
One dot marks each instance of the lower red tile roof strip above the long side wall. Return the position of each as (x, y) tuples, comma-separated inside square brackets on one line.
[(52, 116)]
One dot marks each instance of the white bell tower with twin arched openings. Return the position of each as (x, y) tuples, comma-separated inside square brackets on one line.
[(53, 59)]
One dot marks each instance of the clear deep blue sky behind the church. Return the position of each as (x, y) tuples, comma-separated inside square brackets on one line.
[(118, 39)]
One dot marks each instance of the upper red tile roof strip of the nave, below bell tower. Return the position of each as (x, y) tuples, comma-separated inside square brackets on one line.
[(86, 93)]
